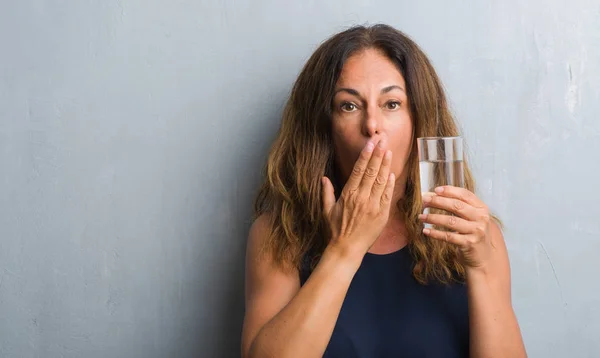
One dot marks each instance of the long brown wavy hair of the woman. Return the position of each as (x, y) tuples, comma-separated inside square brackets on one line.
[(302, 153)]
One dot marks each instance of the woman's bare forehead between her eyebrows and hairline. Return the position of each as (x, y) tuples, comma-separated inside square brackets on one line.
[(369, 67)]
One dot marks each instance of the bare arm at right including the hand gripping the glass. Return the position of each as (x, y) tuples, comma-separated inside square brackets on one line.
[(494, 331)]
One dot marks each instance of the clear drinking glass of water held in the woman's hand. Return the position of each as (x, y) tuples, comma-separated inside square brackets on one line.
[(440, 163)]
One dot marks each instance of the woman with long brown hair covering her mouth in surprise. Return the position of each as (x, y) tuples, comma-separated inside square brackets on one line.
[(338, 262)]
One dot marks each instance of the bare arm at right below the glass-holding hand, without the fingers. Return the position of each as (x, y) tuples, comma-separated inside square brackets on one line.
[(494, 328)]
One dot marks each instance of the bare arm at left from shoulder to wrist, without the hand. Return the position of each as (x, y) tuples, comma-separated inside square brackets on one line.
[(284, 320)]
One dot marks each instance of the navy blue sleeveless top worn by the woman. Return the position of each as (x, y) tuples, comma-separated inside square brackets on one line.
[(387, 313)]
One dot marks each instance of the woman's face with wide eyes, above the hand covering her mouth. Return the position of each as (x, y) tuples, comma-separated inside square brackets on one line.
[(370, 103)]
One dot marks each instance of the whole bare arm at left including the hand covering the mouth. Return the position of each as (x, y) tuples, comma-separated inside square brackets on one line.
[(283, 320)]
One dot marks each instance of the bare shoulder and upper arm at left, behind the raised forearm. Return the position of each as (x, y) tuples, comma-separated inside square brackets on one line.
[(268, 287)]
